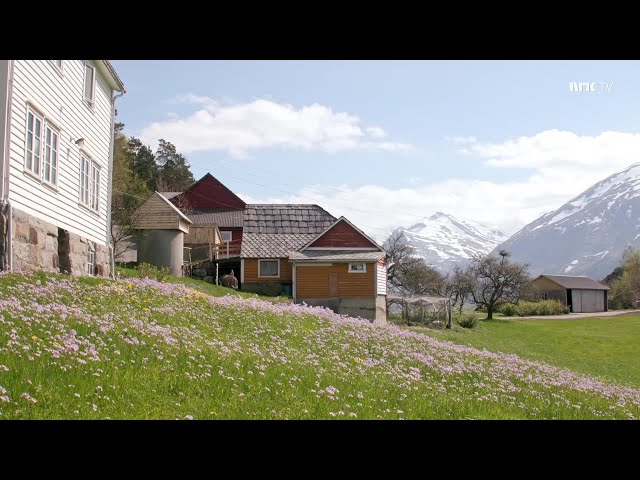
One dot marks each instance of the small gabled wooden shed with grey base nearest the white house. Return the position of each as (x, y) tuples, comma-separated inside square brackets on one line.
[(164, 226)]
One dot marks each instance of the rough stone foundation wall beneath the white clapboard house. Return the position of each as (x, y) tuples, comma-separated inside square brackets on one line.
[(41, 246)]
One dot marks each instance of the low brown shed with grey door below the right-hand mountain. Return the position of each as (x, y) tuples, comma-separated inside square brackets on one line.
[(581, 294)]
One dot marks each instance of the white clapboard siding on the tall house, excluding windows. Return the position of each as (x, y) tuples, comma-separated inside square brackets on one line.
[(60, 99)]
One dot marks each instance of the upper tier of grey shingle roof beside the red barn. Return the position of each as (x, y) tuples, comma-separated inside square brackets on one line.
[(286, 218)]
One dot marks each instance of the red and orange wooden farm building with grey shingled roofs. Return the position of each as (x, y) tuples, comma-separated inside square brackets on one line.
[(298, 250)]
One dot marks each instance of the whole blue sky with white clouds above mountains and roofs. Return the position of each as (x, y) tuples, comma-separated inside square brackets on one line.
[(388, 142)]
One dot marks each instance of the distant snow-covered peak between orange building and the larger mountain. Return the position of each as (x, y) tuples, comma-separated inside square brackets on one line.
[(443, 240)]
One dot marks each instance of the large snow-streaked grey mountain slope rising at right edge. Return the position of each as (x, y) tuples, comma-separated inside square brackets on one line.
[(588, 234)]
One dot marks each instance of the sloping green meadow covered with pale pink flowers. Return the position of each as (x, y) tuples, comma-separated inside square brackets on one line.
[(88, 348)]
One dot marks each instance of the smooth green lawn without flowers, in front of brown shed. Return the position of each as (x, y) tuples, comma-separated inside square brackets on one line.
[(608, 347)]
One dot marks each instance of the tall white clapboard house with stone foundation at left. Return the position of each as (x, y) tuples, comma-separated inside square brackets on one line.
[(56, 160)]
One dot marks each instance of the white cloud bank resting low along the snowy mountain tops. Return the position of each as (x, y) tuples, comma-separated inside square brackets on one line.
[(561, 164)]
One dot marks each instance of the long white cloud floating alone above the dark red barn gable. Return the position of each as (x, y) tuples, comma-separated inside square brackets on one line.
[(241, 127)]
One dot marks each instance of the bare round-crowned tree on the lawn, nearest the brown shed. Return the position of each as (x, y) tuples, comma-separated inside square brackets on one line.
[(497, 281)]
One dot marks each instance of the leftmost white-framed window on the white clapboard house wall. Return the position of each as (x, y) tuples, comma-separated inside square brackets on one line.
[(41, 148)]
